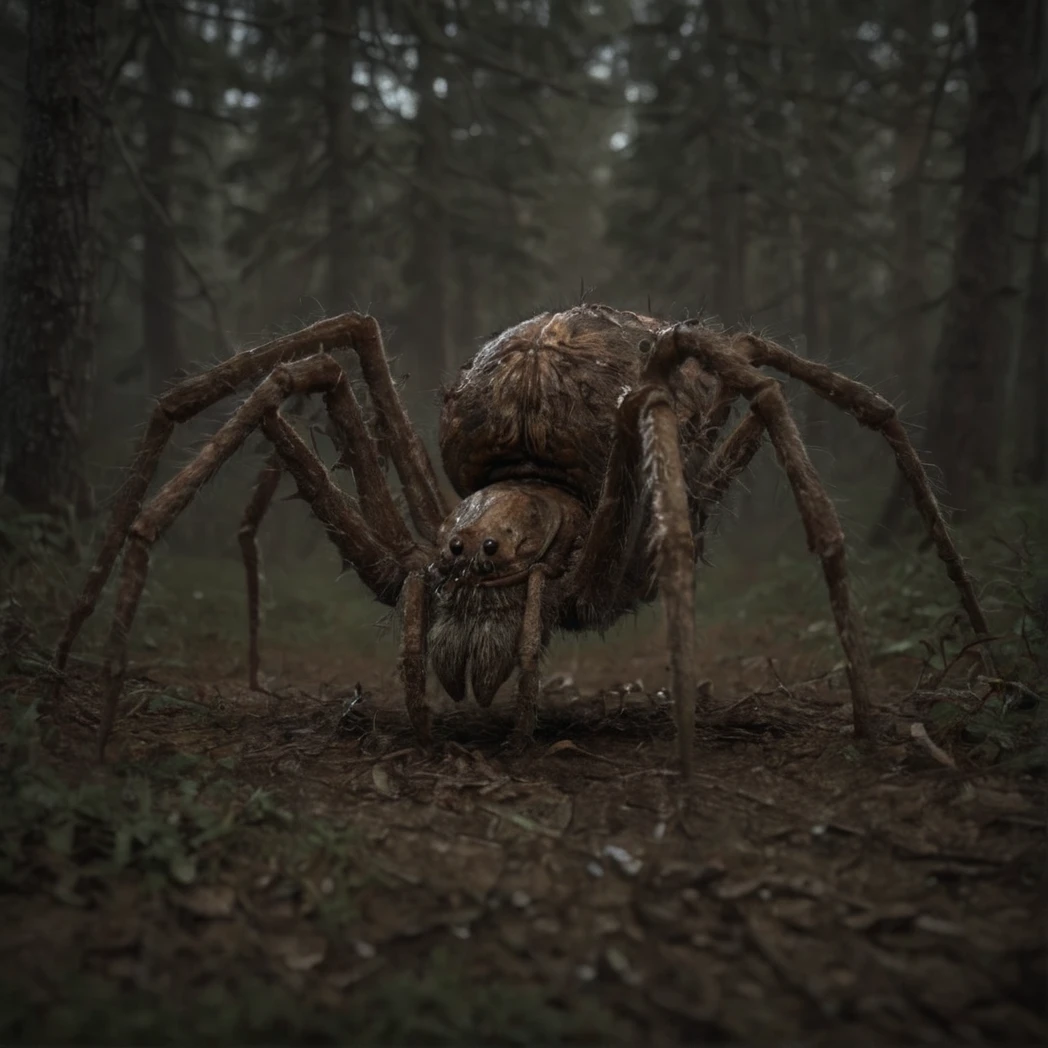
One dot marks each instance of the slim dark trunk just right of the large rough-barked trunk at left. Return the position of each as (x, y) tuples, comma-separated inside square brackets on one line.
[(160, 318)]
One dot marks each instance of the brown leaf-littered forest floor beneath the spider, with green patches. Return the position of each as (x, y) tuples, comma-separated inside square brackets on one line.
[(289, 867)]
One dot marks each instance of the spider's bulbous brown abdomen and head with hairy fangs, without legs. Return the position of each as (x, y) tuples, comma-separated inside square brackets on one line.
[(527, 433)]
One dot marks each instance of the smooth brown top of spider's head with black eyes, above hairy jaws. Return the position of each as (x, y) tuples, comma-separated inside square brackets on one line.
[(496, 536)]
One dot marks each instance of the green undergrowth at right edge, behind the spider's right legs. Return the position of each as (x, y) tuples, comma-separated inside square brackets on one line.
[(995, 711)]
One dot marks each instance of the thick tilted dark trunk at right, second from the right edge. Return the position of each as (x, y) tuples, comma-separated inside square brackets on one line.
[(972, 359)]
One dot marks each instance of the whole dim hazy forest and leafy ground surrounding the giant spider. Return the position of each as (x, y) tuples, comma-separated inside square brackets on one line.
[(868, 183)]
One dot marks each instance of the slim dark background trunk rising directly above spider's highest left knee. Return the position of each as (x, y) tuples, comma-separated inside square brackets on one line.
[(340, 20)]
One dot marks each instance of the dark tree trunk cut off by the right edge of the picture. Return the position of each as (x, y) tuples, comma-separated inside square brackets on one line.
[(1032, 465)]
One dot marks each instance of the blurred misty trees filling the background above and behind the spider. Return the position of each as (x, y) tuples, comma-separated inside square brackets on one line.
[(185, 178)]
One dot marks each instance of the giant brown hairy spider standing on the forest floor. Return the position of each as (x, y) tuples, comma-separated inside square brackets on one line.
[(584, 447)]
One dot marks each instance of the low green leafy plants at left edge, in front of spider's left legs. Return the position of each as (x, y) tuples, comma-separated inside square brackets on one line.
[(72, 833)]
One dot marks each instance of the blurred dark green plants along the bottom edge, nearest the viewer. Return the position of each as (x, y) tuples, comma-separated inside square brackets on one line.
[(438, 1003)]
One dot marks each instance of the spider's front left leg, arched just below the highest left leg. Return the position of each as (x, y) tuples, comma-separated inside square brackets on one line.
[(376, 563)]
